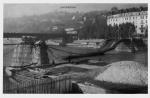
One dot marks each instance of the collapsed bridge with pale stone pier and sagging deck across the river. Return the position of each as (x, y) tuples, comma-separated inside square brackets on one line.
[(42, 54)]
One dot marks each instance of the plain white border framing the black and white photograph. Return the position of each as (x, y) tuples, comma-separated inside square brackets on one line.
[(61, 95)]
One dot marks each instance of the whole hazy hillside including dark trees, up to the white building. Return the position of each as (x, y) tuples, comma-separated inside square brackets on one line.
[(88, 25)]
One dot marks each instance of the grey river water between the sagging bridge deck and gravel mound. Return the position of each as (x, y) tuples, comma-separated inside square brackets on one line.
[(141, 57)]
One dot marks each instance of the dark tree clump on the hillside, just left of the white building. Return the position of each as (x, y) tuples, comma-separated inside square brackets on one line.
[(94, 26)]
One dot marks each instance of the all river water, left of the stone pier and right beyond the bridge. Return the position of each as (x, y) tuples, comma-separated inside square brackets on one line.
[(141, 57)]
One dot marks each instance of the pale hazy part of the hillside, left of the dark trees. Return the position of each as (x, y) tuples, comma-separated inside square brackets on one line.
[(42, 23)]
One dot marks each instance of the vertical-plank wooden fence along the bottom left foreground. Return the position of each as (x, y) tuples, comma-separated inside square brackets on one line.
[(58, 85)]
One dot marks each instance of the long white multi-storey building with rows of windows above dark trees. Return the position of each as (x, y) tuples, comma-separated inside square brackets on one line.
[(139, 19)]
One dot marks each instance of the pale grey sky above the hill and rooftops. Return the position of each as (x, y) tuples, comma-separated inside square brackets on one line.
[(19, 10)]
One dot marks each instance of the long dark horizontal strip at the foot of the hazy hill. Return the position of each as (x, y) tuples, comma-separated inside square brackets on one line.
[(62, 34)]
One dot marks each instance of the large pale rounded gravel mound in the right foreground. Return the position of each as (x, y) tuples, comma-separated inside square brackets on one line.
[(125, 72)]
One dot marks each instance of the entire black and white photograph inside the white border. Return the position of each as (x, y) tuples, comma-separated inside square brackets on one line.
[(75, 48)]
